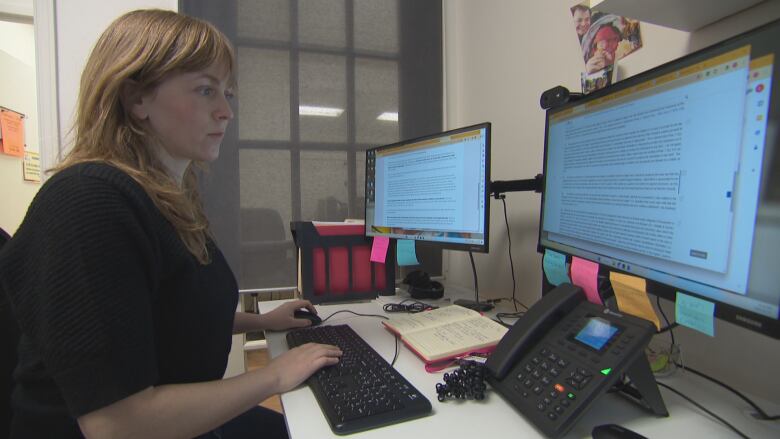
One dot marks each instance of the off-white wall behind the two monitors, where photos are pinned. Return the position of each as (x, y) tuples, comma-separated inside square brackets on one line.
[(500, 56)]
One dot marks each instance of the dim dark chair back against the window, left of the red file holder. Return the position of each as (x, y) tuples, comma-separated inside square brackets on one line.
[(267, 255)]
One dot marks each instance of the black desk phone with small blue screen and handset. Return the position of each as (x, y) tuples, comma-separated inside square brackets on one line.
[(564, 353)]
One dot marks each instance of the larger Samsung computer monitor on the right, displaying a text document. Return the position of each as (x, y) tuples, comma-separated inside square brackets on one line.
[(673, 175)]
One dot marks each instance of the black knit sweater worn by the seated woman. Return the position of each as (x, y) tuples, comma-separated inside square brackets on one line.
[(109, 301)]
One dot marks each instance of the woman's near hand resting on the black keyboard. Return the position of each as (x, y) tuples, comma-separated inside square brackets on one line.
[(293, 367)]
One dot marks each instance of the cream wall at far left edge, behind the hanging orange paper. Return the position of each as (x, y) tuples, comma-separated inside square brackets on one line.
[(18, 92)]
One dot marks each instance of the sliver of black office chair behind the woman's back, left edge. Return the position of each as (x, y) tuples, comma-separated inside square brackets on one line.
[(9, 338)]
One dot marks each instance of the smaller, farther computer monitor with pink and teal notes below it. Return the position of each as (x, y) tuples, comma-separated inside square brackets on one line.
[(433, 188)]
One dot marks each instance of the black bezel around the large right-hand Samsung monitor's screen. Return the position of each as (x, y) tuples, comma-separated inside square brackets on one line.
[(739, 316)]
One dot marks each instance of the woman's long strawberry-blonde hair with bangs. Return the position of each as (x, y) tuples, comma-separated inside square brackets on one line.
[(143, 48)]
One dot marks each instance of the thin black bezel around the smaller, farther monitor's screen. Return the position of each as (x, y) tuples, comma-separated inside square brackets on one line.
[(478, 248)]
